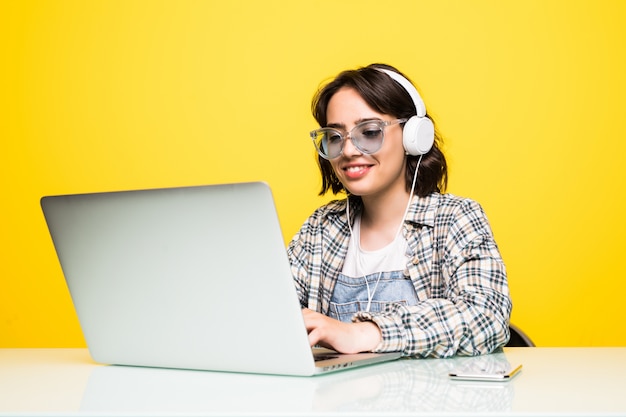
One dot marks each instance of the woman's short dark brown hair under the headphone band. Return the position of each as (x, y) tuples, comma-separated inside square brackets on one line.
[(385, 96)]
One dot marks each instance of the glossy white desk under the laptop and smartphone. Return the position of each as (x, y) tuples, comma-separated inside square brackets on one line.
[(554, 381)]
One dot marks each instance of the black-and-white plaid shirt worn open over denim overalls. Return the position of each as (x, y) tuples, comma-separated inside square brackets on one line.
[(455, 266)]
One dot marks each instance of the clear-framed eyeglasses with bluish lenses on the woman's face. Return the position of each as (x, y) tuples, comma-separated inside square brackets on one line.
[(367, 137)]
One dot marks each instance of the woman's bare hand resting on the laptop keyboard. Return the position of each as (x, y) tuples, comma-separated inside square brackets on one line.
[(339, 336)]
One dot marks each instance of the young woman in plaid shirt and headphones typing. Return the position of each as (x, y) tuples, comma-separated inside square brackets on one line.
[(397, 265)]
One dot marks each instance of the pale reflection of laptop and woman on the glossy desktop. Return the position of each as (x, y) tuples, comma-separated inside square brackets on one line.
[(399, 386)]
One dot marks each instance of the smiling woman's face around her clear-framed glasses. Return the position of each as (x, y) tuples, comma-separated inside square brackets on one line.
[(368, 176)]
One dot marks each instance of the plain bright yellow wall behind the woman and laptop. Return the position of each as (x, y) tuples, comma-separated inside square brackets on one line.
[(125, 94)]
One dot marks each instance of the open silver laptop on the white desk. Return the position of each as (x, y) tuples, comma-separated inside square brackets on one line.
[(188, 277)]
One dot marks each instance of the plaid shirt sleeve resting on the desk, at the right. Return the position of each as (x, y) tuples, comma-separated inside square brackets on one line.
[(472, 316)]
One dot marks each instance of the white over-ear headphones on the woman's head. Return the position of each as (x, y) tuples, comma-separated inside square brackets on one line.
[(419, 132)]
